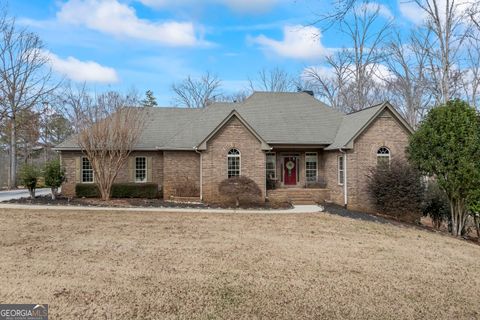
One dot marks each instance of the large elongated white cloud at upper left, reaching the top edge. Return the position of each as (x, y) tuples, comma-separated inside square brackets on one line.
[(115, 18)]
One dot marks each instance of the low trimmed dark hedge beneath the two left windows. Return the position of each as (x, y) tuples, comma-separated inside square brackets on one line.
[(119, 190)]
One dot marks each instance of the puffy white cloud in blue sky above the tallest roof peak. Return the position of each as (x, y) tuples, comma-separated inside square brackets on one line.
[(299, 42)]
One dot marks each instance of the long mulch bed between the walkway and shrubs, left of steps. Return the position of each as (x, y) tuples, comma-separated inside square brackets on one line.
[(134, 203)]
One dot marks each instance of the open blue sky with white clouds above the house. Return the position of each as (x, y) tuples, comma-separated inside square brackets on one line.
[(149, 44)]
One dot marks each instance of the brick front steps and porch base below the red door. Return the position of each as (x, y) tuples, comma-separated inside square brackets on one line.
[(299, 196)]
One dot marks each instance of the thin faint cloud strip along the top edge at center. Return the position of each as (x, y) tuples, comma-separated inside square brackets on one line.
[(245, 6)]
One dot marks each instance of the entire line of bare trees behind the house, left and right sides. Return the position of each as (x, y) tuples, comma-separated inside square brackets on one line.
[(416, 69)]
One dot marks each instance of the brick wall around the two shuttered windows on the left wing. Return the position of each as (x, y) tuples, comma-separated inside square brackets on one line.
[(69, 162)]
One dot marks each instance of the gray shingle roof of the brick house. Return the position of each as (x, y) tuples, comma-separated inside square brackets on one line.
[(279, 118)]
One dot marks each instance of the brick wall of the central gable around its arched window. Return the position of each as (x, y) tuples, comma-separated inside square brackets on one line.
[(214, 160)]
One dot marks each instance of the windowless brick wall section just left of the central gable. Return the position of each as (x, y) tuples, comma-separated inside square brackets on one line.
[(181, 174)]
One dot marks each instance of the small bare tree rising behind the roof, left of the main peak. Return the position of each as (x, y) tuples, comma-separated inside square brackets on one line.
[(196, 93)]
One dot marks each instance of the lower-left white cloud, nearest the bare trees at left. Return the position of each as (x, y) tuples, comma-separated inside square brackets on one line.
[(81, 71)]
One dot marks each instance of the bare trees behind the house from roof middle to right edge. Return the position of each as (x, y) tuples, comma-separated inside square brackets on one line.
[(415, 68)]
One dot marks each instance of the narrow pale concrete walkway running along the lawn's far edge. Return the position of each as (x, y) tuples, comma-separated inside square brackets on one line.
[(295, 209)]
